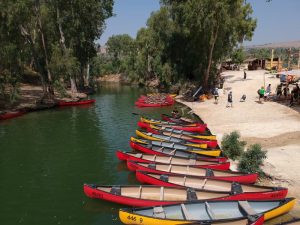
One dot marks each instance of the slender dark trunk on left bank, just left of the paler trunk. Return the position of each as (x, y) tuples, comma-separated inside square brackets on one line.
[(40, 26)]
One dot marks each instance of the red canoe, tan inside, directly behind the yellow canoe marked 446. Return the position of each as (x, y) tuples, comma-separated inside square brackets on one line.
[(149, 195)]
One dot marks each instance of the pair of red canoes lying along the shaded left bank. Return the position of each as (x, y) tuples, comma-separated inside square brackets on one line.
[(13, 114)]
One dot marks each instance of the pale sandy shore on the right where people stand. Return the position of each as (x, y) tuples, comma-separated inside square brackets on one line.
[(274, 125)]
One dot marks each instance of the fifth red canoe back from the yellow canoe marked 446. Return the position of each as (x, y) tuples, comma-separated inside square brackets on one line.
[(155, 150)]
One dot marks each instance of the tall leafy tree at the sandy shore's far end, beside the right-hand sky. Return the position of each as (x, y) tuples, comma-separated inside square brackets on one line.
[(209, 30)]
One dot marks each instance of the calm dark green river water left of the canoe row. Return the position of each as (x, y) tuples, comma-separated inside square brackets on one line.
[(47, 156)]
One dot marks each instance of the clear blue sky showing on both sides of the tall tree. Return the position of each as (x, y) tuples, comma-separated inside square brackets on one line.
[(277, 21)]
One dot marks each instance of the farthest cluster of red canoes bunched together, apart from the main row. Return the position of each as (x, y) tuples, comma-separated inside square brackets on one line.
[(155, 100)]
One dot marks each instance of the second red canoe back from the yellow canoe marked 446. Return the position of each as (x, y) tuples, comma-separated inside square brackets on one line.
[(250, 192)]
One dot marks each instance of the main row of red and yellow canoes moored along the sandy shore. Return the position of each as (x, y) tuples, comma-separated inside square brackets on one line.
[(188, 181)]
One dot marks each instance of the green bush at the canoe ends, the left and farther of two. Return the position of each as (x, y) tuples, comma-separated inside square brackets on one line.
[(232, 146)]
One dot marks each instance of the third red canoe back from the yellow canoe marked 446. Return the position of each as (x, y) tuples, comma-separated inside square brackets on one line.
[(192, 171)]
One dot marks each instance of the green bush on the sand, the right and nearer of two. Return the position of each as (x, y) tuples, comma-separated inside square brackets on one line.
[(252, 159)]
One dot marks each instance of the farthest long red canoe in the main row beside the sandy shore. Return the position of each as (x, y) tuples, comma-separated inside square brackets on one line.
[(196, 128)]
